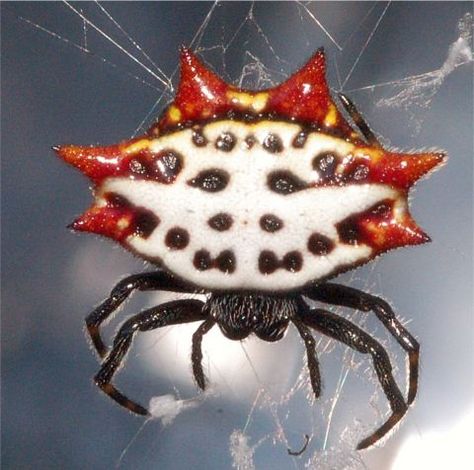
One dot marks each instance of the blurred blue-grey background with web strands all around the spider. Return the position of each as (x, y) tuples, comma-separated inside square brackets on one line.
[(89, 73)]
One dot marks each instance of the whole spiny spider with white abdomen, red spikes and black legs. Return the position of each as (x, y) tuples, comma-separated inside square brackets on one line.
[(255, 199)]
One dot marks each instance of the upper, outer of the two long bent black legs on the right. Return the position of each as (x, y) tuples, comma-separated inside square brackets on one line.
[(337, 294)]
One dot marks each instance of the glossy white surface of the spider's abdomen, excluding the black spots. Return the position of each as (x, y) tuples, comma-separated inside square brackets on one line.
[(246, 198)]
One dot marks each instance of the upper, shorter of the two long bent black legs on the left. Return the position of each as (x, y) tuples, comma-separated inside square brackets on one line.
[(145, 281)]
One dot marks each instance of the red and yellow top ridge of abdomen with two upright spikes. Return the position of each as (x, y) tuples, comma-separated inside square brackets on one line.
[(202, 95)]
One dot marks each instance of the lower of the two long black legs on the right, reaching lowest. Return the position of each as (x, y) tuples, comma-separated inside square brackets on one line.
[(343, 330)]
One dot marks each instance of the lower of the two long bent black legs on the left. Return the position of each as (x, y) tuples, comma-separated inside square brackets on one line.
[(171, 313)]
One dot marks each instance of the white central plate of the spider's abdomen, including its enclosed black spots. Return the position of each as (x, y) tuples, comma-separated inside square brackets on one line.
[(248, 209)]
